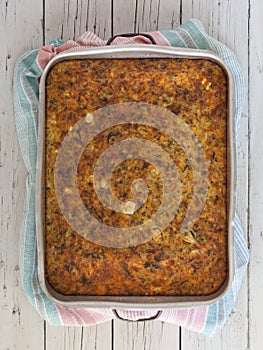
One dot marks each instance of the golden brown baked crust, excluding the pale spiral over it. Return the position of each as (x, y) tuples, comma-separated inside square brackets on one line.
[(172, 263)]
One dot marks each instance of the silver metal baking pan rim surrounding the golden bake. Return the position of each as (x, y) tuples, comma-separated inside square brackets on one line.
[(133, 302)]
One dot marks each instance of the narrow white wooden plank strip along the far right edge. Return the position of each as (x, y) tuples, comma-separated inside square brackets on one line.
[(256, 170)]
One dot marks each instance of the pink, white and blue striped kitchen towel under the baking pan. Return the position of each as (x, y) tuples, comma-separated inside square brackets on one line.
[(28, 70)]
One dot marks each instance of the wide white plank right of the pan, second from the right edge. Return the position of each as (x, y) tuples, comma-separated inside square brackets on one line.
[(217, 17)]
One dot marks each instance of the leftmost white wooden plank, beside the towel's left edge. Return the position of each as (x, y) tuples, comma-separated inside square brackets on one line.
[(17, 317)]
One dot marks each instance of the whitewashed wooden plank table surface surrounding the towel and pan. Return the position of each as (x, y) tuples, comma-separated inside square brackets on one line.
[(28, 24)]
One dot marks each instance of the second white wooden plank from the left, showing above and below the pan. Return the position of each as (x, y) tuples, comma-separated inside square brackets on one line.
[(68, 20)]
